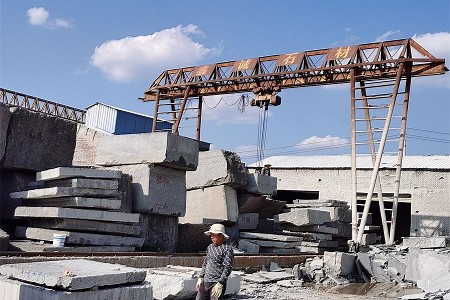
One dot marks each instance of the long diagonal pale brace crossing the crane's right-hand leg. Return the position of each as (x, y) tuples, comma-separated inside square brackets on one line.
[(380, 153)]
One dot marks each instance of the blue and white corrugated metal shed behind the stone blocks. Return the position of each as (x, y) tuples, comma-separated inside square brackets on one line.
[(120, 121)]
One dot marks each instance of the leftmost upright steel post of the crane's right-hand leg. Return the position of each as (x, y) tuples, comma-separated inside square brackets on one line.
[(353, 141)]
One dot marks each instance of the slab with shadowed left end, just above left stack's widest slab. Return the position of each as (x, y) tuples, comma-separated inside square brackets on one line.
[(105, 203)]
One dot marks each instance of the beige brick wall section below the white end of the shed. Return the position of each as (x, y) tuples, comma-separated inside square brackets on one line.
[(86, 146)]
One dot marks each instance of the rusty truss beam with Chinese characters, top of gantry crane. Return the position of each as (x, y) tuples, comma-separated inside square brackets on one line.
[(317, 67)]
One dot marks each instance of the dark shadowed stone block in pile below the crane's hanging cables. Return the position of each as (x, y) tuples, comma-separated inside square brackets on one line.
[(266, 207)]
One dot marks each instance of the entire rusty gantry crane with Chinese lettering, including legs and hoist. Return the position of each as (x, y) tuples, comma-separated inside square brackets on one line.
[(378, 73)]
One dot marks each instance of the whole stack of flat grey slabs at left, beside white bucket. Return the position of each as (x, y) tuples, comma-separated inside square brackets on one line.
[(84, 204)]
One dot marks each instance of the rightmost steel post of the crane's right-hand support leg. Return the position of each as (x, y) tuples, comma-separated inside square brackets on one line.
[(401, 145)]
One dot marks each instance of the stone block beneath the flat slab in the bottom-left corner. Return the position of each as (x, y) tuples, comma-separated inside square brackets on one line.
[(16, 290)]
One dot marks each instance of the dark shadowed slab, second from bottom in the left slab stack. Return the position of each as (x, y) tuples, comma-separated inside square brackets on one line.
[(86, 225)]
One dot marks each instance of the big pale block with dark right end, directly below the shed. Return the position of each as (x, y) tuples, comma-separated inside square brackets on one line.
[(164, 148)]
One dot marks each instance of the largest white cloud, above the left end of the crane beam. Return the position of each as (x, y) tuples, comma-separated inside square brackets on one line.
[(138, 57)]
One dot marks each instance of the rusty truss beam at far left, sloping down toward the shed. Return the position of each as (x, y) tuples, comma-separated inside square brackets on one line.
[(47, 107)]
